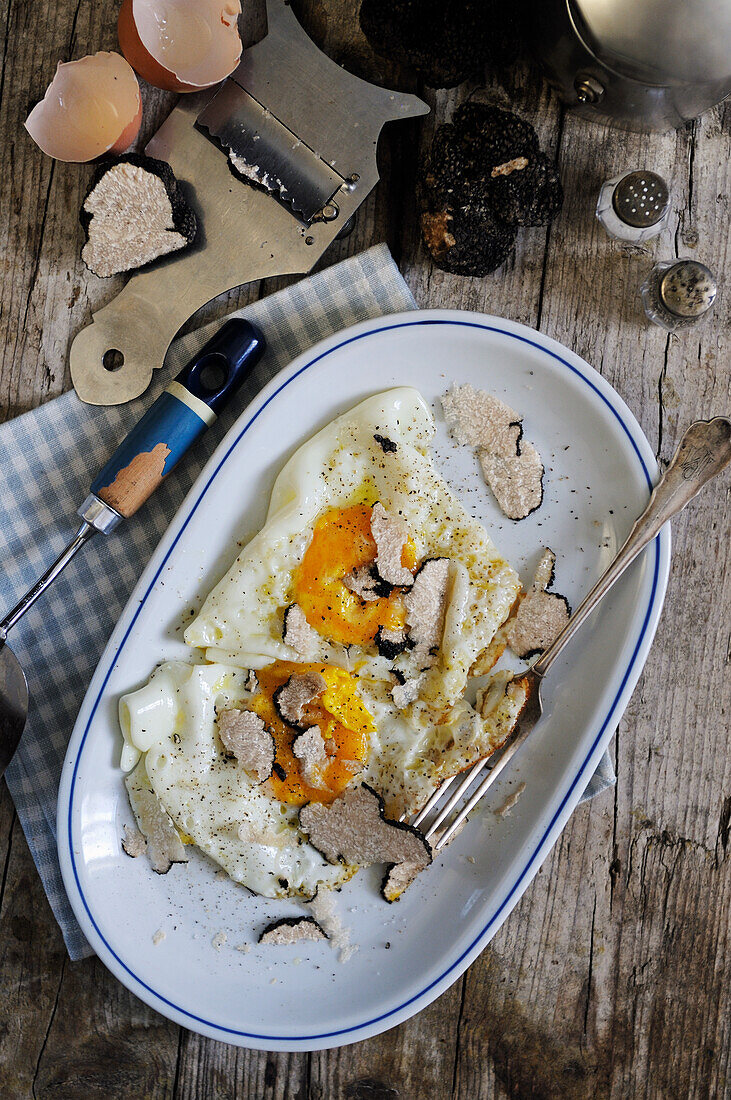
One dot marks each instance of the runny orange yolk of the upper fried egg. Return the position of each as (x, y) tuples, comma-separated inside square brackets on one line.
[(341, 543)]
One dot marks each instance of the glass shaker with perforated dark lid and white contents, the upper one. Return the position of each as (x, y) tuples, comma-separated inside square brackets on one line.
[(635, 206)]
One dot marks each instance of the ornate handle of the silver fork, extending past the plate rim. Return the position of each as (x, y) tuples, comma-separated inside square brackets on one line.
[(704, 453)]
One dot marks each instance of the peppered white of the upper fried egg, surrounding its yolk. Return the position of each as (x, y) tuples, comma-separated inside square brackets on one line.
[(241, 622)]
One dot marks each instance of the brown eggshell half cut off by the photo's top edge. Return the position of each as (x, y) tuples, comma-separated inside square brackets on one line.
[(179, 46)]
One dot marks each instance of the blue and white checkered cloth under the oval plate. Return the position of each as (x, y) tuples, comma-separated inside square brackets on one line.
[(49, 458)]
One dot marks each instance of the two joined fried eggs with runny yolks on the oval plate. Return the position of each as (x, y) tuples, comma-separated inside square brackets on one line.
[(319, 533)]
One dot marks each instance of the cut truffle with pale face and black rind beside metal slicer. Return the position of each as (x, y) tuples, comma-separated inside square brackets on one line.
[(135, 214)]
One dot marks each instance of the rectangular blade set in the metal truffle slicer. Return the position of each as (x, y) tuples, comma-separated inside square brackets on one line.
[(263, 151)]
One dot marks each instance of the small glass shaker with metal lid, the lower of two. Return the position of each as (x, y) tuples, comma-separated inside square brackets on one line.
[(679, 293)]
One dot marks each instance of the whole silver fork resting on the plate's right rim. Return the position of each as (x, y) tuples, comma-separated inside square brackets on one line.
[(704, 453)]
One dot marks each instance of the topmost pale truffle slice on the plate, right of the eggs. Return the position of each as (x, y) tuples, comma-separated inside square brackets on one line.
[(481, 421)]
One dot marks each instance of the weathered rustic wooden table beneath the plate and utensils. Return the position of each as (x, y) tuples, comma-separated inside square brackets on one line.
[(612, 978)]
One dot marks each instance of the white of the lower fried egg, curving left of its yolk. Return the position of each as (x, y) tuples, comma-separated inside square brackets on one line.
[(211, 798)]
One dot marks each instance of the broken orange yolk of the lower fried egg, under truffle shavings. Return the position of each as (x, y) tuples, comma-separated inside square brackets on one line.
[(344, 722)]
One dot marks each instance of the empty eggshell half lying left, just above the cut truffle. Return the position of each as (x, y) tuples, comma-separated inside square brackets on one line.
[(91, 107)]
